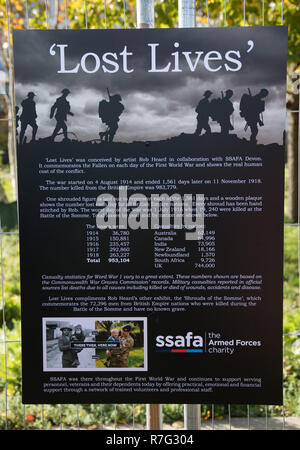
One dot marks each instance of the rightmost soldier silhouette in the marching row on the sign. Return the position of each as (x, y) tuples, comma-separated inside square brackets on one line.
[(252, 108)]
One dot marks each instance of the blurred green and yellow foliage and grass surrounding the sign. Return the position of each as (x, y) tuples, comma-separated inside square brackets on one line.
[(120, 14)]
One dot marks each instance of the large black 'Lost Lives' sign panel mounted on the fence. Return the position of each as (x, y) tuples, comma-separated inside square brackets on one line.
[(151, 185)]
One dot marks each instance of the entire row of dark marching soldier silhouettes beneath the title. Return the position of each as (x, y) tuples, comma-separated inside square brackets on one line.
[(219, 110)]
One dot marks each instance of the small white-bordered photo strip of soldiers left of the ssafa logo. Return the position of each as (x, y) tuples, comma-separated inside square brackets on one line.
[(94, 344)]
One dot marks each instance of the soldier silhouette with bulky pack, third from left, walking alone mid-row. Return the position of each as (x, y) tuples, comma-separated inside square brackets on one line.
[(109, 113)]
